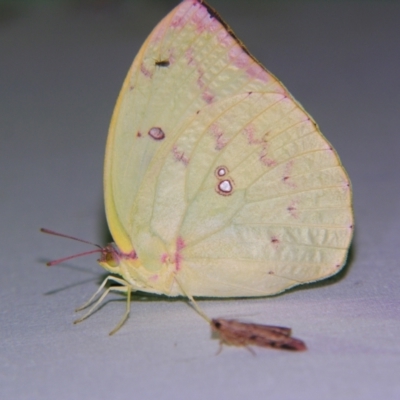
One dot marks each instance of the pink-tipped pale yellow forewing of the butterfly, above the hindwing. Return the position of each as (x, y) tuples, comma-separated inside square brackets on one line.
[(205, 65)]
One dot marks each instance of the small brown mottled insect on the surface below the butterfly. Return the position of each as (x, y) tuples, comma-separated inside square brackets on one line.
[(238, 333)]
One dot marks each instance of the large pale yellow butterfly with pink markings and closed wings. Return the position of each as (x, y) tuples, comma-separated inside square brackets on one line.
[(217, 182)]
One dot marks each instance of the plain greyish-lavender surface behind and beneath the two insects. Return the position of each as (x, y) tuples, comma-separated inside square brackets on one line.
[(60, 73)]
